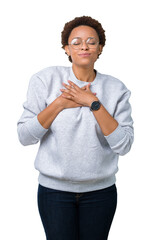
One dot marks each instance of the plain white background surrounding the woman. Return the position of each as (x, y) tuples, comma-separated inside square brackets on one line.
[(30, 41)]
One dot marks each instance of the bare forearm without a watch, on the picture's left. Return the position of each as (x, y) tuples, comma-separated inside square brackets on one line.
[(47, 116)]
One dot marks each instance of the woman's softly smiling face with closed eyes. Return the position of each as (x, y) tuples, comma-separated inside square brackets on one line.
[(84, 56)]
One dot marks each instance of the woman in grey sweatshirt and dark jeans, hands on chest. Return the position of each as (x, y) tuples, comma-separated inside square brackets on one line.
[(82, 119)]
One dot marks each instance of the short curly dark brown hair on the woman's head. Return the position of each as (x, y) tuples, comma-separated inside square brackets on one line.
[(80, 21)]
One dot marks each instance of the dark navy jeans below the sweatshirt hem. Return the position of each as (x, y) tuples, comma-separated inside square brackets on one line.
[(77, 216)]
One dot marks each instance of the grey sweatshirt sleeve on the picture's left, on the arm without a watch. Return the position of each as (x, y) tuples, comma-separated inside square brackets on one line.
[(29, 129)]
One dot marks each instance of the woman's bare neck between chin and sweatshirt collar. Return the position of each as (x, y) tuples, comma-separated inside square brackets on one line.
[(84, 74)]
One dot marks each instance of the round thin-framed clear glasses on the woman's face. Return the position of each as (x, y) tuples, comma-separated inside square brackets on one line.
[(77, 43)]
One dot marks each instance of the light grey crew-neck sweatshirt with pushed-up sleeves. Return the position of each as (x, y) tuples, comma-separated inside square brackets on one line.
[(73, 154)]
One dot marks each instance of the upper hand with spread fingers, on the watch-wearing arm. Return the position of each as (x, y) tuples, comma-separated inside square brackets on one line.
[(82, 96)]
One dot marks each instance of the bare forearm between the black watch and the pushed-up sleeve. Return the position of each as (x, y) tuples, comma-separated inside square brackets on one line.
[(106, 122)]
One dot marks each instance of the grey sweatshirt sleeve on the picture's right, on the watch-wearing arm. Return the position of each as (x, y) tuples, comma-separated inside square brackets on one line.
[(121, 139)]
